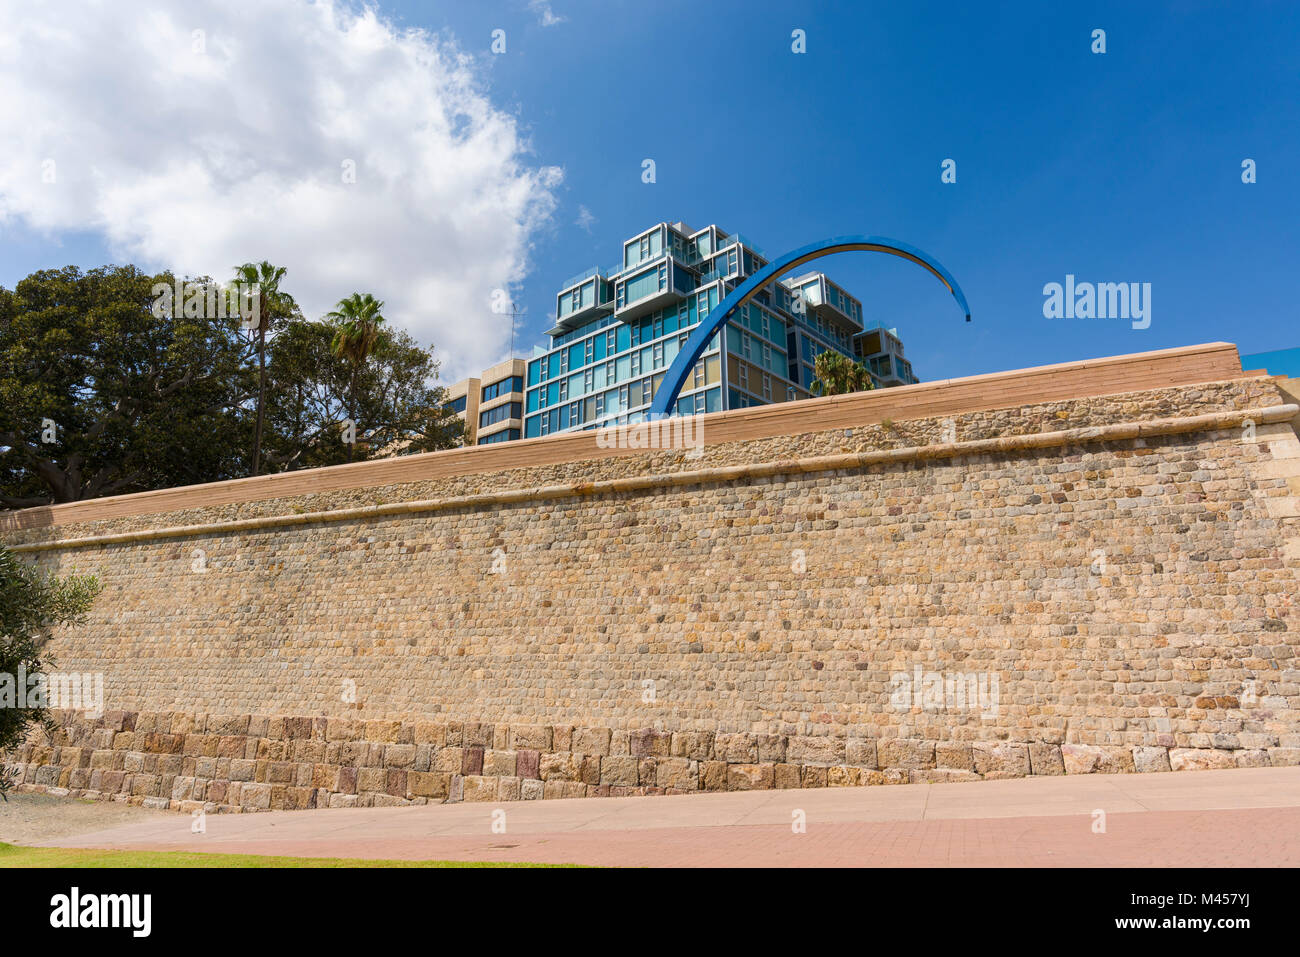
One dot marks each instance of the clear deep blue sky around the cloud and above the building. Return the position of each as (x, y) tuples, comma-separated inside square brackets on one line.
[(1124, 167)]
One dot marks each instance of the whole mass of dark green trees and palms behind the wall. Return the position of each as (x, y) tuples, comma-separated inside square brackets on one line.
[(102, 393)]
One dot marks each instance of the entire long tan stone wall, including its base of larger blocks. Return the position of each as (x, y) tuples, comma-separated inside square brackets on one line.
[(1126, 568)]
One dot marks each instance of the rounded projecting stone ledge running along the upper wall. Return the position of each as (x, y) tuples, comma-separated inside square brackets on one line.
[(649, 483)]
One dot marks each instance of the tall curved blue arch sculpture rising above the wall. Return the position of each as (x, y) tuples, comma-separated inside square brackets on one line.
[(666, 399)]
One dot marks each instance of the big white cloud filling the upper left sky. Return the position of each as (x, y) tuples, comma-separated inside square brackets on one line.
[(200, 161)]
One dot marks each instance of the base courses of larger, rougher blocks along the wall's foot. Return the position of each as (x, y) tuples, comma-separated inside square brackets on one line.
[(223, 764)]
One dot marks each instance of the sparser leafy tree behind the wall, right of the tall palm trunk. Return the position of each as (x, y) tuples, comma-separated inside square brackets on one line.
[(392, 399)]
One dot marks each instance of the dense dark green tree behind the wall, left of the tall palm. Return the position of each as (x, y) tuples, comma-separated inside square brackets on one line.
[(133, 399)]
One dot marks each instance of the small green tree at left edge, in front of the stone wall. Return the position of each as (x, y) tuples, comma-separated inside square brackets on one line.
[(31, 605)]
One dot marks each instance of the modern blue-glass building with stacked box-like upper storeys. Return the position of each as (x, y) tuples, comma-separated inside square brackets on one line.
[(619, 330)]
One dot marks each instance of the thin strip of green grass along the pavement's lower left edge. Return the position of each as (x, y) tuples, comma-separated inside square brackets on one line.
[(12, 856)]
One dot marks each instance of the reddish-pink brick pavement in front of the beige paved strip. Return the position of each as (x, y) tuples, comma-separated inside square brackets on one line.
[(1215, 839)]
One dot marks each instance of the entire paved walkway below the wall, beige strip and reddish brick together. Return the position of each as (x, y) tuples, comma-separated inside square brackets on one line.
[(1194, 819)]
